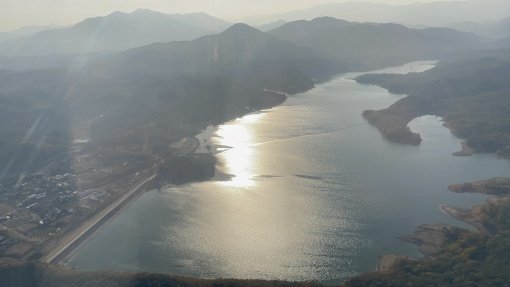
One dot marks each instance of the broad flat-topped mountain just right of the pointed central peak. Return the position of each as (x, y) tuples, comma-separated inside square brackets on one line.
[(371, 45)]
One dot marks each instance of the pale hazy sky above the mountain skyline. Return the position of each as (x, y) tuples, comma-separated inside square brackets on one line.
[(18, 13)]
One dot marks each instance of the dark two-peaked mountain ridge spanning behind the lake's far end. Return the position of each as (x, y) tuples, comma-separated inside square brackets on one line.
[(317, 48)]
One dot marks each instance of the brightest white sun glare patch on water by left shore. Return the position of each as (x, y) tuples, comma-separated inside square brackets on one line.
[(238, 160)]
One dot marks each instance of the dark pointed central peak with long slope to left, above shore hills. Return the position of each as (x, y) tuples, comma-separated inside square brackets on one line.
[(238, 49)]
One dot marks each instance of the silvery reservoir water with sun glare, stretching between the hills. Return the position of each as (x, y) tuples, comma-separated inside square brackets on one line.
[(316, 194)]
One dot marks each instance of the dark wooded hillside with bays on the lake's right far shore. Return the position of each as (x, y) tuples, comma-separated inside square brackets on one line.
[(473, 96)]
